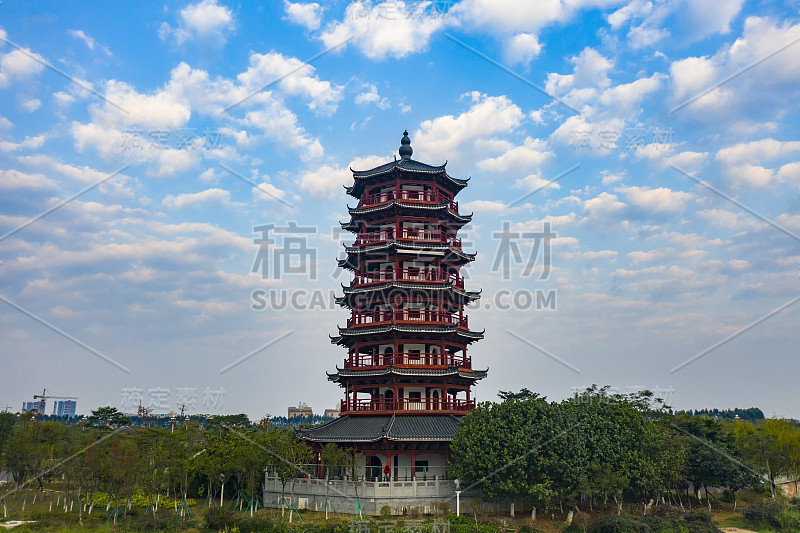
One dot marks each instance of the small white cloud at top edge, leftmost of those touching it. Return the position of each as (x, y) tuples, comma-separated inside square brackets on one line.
[(204, 21)]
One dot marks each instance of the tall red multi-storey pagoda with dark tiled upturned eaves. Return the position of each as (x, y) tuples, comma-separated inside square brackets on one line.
[(407, 378)]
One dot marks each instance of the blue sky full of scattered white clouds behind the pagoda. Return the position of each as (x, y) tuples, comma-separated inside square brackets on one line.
[(142, 145)]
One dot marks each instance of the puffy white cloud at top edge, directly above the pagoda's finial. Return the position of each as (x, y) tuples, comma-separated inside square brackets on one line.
[(387, 29)]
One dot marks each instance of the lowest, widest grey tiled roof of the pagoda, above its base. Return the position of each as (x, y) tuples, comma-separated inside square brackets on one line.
[(371, 428)]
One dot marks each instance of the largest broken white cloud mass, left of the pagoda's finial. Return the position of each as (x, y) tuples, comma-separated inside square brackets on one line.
[(191, 91)]
